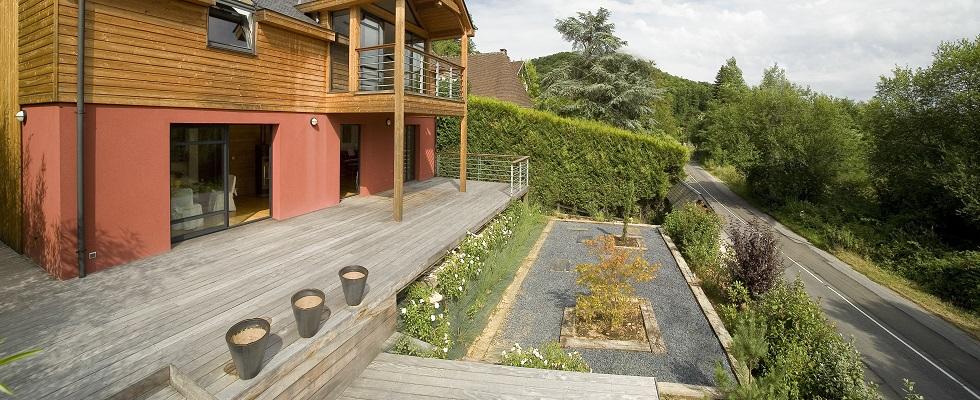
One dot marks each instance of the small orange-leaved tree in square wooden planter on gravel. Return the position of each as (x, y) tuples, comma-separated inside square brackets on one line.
[(610, 282)]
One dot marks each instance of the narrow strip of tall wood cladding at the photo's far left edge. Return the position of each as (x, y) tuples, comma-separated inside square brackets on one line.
[(11, 206)]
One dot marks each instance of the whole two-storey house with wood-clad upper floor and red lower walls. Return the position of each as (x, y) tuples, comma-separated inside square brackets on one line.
[(161, 121)]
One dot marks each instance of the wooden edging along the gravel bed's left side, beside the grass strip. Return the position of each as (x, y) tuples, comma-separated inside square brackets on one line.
[(480, 348)]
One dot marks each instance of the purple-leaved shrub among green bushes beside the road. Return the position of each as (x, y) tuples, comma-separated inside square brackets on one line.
[(754, 260)]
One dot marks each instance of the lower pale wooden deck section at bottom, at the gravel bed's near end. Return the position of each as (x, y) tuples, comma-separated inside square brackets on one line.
[(404, 377)]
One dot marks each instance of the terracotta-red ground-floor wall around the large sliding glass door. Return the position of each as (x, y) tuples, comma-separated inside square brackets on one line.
[(128, 177)]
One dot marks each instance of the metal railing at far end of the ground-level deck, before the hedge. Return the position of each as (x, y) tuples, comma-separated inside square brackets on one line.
[(511, 169)]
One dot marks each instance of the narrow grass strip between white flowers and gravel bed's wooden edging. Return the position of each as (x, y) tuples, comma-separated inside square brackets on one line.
[(470, 313)]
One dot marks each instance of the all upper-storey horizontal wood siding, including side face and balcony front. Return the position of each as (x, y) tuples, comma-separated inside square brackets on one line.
[(155, 53)]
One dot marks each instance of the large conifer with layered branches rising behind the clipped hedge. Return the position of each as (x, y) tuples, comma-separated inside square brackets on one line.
[(597, 82)]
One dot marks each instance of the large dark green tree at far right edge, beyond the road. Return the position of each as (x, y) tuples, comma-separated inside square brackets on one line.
[(925, 132)]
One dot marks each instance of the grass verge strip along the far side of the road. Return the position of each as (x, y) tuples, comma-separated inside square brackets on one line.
[(966, 320)]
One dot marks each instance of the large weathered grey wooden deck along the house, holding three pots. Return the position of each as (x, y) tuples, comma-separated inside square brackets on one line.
[(115, 329)]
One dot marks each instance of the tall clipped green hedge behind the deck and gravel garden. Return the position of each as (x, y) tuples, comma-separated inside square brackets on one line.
[(576, 165)]
